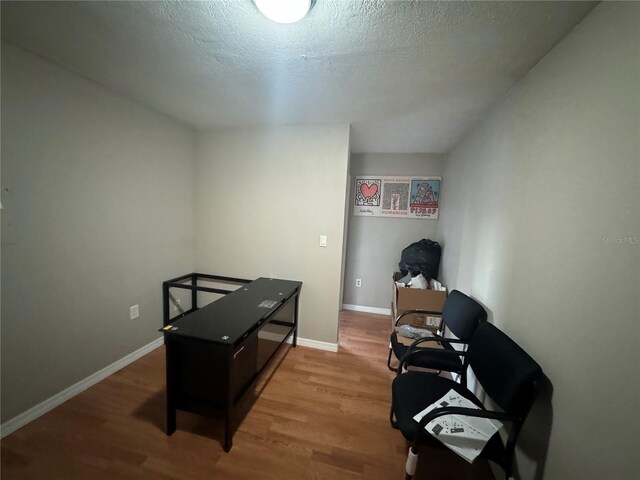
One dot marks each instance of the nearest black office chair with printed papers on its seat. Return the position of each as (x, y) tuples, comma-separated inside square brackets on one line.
[(507, 375)]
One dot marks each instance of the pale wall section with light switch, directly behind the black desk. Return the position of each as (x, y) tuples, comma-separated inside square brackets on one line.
[(263, 198)]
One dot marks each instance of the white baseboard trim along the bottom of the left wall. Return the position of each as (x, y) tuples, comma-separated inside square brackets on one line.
[(30, 415)]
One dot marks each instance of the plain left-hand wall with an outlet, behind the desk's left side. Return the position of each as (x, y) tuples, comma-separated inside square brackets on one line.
[(98, 211)]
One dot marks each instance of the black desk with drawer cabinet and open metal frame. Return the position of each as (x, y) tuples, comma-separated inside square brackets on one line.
[(215, 354)]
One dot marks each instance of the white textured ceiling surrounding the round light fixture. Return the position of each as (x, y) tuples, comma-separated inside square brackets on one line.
[(408, 76)]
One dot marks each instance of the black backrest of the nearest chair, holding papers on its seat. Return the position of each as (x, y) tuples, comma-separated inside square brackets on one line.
[(505, 371)]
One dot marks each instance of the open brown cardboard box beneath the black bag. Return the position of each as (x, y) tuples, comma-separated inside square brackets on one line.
[(404, 299)]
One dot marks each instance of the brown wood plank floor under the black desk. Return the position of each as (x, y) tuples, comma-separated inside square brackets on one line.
[(321, 415)]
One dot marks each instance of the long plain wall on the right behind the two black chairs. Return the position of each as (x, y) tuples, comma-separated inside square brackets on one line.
[(537, 204)]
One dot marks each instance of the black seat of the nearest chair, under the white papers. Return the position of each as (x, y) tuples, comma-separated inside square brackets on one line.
[(414, 391)]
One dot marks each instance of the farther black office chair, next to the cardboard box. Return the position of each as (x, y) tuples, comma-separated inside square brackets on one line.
[(460, 315)]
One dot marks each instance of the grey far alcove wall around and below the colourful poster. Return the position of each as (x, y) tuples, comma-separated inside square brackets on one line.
[(375, 243)]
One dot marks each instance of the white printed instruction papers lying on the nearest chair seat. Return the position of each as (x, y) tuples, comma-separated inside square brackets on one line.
[(465, 435)]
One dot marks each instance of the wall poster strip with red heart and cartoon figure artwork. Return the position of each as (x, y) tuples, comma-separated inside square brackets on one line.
[(387, 196)]
